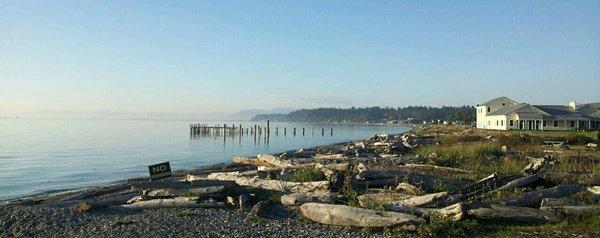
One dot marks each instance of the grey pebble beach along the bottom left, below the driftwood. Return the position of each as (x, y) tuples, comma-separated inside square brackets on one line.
[(43, 221)]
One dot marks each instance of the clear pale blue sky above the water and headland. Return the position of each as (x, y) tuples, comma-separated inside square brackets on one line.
[(207, 58)]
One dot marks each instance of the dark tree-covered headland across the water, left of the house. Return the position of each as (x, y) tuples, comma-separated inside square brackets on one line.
[(373, 114)]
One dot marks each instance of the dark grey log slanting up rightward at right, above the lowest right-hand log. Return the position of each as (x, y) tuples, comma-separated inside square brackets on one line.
[(533, 198)]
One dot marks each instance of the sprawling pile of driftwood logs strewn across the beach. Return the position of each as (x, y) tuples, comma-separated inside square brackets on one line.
[(386, 190)]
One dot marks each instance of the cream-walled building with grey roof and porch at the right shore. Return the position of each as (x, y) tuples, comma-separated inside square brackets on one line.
[(505, 114)]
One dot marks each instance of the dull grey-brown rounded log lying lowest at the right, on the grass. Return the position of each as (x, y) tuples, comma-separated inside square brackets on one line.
[(517, 214)]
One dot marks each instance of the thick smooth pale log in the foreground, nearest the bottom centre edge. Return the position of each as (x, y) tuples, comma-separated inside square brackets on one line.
[(351, 216)]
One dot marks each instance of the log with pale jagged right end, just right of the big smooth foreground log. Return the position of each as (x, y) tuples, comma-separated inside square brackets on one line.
[(455, 212)]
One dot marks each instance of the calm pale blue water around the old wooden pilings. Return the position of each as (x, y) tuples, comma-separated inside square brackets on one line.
[(38, 155)]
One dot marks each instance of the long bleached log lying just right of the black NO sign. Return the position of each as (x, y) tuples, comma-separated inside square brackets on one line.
[(294, 187)]
